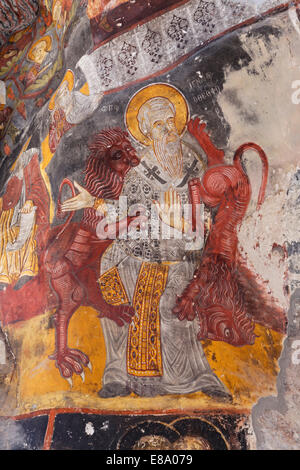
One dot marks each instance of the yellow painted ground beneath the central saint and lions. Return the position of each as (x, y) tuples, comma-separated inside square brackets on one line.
[(249, 372)]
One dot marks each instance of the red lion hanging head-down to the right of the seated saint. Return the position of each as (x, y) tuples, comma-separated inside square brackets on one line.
[(224, 294)]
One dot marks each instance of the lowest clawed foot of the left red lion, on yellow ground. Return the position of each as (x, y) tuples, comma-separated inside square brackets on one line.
[(71, 361)]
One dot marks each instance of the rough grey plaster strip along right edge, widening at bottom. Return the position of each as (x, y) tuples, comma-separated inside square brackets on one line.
[(281, 413)]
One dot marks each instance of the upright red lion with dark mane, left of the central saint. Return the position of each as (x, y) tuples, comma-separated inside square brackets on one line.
[(72, 259)]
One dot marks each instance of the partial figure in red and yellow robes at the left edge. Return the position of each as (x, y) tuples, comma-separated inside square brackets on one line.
[(24, 221)]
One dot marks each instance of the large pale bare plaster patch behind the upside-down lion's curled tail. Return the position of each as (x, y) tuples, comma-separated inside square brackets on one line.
[(266, 232)]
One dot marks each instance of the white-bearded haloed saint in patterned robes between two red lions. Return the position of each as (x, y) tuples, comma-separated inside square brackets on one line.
[(157, 354)]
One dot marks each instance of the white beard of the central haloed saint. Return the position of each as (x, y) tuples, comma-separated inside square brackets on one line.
[(169, 156)]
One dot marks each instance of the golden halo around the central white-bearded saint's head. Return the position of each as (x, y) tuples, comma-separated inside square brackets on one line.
[(163, 90)]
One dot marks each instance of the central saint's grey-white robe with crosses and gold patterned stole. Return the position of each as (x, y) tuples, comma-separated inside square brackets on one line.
[(156, 354)]
